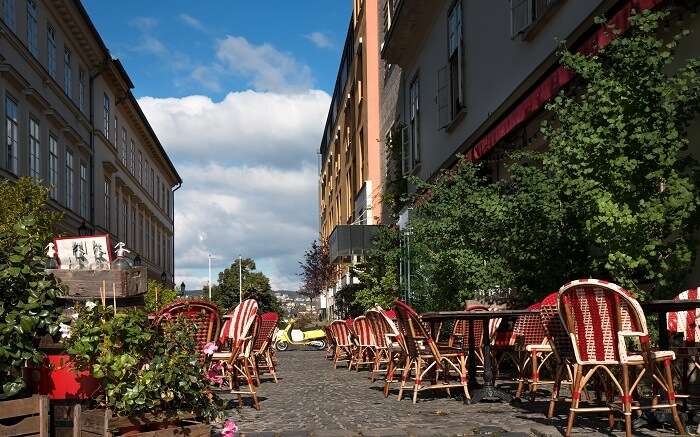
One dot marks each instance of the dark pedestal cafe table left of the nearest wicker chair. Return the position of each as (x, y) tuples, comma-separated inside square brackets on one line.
[(488, 391)]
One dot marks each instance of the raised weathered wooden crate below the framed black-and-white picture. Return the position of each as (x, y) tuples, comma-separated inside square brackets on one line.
[(87, 283)]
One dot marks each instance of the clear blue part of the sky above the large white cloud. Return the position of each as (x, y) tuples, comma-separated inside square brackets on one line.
[(189, 31)]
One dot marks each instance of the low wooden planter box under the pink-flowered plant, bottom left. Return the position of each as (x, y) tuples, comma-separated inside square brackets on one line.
[(94, 423)]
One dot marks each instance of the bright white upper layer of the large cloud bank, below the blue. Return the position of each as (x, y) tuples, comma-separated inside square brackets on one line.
[(247, 126)]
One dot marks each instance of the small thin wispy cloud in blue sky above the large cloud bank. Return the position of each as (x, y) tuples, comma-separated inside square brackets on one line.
[(268, 68)]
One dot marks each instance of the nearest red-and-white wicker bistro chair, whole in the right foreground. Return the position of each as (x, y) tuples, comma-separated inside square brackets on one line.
[(600, 317)]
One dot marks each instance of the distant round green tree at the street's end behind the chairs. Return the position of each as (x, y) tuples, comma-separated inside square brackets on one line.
[(255, 286)]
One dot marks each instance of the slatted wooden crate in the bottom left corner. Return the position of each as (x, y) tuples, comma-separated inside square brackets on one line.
[(26, 417)]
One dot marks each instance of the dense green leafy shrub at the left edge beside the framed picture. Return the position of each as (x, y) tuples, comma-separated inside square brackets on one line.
[(28, 305)]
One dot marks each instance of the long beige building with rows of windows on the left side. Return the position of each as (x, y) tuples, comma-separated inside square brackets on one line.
[(72, 122)]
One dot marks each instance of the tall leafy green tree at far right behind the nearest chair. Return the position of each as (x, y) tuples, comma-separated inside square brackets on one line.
[(618, 153)]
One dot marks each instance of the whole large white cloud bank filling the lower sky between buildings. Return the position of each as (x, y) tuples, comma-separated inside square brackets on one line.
[(250, 181)]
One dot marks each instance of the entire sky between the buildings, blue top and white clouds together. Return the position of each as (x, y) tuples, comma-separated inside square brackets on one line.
[(237, 92)]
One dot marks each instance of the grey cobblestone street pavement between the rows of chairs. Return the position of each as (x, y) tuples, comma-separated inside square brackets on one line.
[(313, 399)]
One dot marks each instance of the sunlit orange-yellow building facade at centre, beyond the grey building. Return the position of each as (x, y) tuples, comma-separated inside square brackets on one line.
[(350, 179)]
